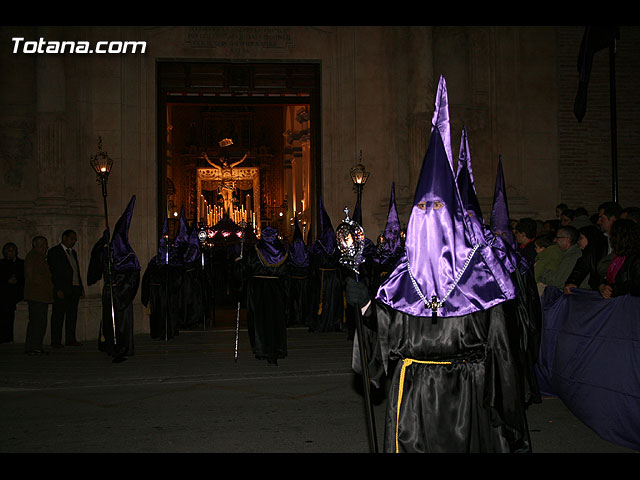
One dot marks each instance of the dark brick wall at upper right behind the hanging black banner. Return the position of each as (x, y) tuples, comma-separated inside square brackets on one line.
[(585, 148)]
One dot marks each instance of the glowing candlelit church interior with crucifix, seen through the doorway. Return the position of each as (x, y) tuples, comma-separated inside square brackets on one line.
[(245, 164)]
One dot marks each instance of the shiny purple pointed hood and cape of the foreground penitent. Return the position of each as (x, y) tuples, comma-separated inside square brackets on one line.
[(440, 260)]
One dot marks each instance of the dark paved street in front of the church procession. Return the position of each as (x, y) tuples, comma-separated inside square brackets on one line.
[(188, 395)]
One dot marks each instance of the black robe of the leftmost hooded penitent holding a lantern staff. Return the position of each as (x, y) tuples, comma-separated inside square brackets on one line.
[(124, 286)]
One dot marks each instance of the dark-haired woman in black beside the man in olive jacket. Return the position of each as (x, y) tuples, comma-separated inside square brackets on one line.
[(585, 274)]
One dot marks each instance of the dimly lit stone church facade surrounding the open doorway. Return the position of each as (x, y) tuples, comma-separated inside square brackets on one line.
[(511, 87)]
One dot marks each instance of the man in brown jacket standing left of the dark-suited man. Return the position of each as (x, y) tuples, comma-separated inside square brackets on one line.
[(38, 292)]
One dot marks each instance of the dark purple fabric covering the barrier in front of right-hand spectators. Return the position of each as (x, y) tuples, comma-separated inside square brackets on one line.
[(590, 359)]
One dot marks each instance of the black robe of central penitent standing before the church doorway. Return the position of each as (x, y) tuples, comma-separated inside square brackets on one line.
[(266, 304)]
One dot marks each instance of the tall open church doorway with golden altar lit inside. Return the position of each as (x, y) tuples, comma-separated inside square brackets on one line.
[(238, 151)]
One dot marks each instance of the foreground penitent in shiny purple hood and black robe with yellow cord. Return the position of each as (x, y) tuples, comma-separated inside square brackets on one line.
[(454, 378)]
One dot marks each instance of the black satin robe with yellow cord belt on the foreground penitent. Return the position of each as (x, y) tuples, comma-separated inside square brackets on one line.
[(466, 399)]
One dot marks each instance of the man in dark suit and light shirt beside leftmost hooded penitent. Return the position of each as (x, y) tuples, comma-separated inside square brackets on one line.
[(67, 289)]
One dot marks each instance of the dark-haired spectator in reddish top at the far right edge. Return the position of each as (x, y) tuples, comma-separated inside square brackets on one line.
[(623, 274)]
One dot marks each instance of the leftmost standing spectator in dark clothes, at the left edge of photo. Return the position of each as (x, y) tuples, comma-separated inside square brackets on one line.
[(11, 289)]
